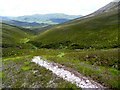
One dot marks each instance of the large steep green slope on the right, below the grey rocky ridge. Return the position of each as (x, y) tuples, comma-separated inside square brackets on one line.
[(99, 31)]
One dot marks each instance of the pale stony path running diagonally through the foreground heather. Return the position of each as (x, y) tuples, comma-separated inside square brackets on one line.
[(68, 74)]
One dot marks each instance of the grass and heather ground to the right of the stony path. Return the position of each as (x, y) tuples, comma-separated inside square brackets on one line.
[(100, 65)]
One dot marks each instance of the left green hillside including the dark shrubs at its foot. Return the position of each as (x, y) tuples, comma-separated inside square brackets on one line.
[(13, 36)]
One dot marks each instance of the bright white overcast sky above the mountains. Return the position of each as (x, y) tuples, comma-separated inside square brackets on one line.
[(70, 7)]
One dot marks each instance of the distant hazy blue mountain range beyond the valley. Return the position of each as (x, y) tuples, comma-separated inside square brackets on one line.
[(38, 20)]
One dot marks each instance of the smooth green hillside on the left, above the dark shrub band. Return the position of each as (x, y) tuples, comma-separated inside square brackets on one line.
[(13, 34)]
